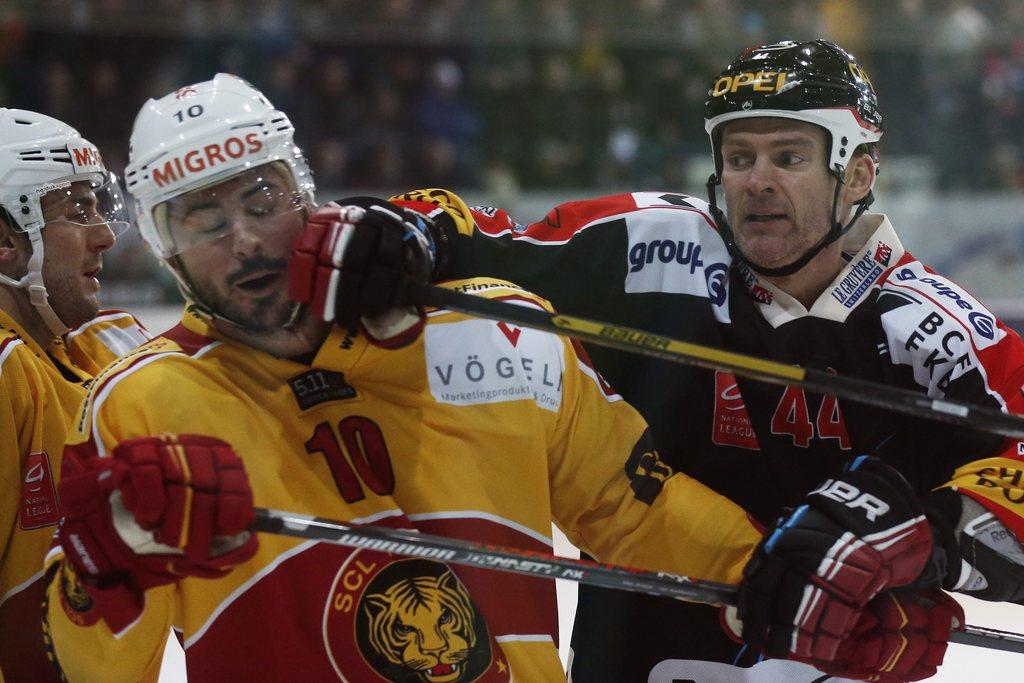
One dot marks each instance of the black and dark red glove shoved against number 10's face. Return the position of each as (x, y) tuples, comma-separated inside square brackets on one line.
[(353, 264)]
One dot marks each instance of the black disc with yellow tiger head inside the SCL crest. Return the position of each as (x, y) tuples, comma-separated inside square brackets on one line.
[(422, 627)]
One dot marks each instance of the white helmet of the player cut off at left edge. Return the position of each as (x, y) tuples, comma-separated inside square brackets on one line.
[(41, 157)]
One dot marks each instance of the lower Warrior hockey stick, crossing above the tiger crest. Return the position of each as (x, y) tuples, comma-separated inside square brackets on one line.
[(543, 566)]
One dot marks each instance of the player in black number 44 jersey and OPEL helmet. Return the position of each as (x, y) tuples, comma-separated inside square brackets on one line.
[(798, 273)]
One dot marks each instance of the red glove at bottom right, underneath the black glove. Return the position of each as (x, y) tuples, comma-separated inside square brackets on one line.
[(902, 636)]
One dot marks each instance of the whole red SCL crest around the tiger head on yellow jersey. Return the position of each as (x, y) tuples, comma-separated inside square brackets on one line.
[(410, 621)]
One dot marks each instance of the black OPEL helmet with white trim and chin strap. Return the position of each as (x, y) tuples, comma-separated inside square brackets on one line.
[(817, 82)]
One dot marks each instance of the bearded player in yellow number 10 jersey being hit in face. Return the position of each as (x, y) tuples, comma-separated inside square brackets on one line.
[(474, 430)]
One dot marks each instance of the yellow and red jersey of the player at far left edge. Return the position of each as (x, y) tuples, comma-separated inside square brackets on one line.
[(40, 393)]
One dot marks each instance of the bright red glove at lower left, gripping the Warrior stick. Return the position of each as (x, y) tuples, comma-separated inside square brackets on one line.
[(158, 510)]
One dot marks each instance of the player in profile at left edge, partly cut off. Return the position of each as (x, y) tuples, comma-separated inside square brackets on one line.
[(60, 211)]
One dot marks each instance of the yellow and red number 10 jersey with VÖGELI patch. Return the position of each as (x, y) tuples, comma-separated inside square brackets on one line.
[(480, 431)]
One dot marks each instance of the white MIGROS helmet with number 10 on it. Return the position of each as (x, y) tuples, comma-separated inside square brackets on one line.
[(196, 138)]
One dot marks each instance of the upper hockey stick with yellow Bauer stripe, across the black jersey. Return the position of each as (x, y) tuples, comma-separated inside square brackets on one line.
[(647, 344)]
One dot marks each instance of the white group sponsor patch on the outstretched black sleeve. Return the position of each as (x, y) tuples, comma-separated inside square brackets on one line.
[(677, 252)]
